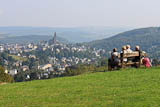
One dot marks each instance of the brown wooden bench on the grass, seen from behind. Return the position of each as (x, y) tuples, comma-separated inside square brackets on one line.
[(133, 60)]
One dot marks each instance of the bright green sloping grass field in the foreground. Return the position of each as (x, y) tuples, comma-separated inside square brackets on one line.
[(125, 88)]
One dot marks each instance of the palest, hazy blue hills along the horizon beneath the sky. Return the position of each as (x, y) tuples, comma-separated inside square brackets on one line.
[(74, 34)]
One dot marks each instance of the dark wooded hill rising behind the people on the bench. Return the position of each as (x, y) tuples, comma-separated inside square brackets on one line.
[(147, 38)]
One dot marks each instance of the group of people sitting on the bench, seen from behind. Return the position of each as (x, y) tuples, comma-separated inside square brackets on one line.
[(127, 49)]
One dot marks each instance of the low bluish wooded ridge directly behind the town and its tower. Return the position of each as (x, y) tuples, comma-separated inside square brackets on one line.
[(29, 39)]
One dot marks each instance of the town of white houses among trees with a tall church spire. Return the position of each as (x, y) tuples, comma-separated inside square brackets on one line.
[(46, 58)]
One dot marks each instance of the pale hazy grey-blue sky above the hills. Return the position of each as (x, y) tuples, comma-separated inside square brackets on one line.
[(78, 13)]
